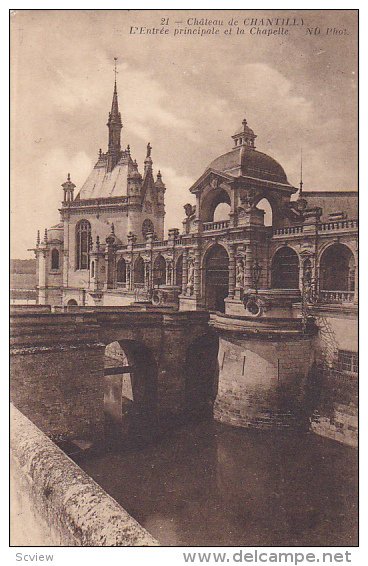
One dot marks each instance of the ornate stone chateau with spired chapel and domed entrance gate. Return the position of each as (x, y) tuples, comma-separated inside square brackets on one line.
[(275, 268)]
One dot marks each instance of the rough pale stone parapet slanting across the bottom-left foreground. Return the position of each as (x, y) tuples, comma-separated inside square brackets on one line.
[(54, 503)]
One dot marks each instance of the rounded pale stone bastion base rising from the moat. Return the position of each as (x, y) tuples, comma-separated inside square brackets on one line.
[(262, 381)]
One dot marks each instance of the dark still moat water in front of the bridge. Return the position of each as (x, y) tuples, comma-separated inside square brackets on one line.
[(208, 484)]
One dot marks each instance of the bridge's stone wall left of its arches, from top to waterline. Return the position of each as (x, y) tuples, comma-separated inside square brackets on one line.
[(56, 373)]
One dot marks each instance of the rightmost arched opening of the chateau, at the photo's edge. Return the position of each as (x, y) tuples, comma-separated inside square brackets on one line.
[(337, 269)]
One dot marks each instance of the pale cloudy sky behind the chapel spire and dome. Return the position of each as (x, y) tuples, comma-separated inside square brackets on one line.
[(185, 94)]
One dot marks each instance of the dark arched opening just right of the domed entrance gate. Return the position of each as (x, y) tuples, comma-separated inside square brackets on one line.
[(285, 269)]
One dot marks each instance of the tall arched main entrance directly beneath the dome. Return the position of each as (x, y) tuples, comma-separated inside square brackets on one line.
[(216, 272)]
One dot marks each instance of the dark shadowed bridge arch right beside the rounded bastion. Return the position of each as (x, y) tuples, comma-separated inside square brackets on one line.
[(201, 375)]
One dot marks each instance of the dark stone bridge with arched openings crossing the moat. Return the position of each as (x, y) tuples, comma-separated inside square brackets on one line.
[(57, 366)]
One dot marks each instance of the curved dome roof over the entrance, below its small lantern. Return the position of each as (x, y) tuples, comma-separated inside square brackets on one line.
[(248, 162)]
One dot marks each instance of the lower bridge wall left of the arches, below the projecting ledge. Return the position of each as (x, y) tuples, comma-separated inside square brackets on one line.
[(61, 390)]
